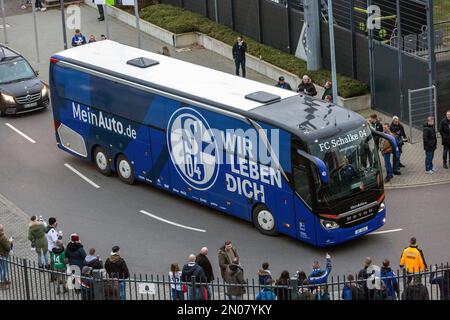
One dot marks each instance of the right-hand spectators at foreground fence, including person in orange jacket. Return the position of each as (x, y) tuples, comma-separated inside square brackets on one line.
[(198, 276)]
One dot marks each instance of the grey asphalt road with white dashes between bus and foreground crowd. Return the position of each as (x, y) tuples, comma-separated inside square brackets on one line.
[(34, 176)]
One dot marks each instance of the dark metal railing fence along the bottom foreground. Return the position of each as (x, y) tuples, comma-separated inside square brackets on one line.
[(29, 282)]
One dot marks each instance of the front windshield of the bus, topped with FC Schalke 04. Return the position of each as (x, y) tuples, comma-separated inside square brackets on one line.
[(352, 162)]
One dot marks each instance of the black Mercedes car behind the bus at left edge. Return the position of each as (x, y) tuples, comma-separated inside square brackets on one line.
[(20, 88)]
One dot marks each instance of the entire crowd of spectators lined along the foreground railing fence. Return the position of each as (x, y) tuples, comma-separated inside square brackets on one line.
[(195, 279)]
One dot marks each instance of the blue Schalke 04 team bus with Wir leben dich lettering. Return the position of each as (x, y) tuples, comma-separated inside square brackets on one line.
[(286, 162)]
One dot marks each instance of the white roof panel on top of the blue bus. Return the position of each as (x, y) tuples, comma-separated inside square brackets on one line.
[(175, 74)]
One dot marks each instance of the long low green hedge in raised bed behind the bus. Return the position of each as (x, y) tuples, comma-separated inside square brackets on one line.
[(178, 20)]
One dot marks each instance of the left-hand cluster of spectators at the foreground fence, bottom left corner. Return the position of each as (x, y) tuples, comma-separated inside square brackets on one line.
[(70, 260)]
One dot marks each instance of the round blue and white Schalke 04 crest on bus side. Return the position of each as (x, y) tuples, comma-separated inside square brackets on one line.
[(193, 148)]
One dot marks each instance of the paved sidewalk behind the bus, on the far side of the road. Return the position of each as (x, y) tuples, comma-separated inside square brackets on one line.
[(21, 37)]
